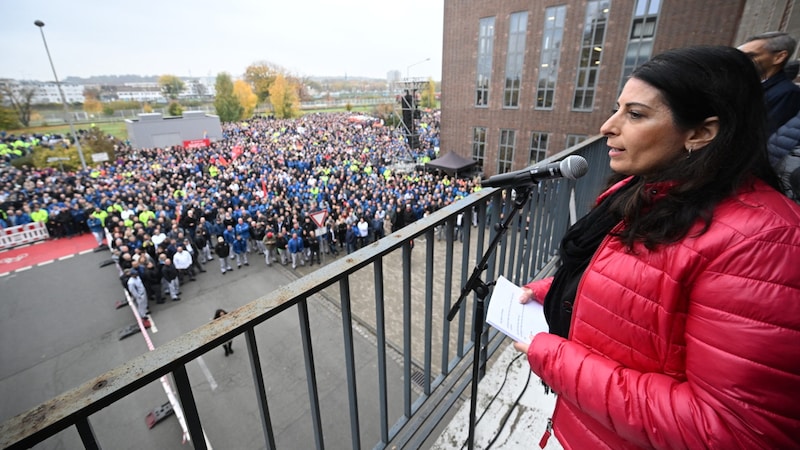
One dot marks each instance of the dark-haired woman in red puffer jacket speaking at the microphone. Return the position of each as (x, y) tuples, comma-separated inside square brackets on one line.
[(675, 316)]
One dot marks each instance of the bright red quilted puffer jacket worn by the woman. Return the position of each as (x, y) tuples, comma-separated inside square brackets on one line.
[(693, 345)]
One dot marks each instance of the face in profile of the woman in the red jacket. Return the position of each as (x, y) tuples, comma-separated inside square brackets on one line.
[(642, 136)]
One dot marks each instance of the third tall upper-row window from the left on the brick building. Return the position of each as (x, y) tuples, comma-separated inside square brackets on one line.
[(551, 54)]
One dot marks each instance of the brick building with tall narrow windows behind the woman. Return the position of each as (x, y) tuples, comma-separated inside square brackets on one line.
[(524, 80)]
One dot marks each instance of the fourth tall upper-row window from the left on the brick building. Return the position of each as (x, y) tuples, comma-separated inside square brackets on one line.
[(594, 32)]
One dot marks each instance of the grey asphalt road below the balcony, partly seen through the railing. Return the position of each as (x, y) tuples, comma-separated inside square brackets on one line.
[(59, 328)]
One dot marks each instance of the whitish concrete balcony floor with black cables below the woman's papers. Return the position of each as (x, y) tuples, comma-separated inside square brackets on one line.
[(510, 424)]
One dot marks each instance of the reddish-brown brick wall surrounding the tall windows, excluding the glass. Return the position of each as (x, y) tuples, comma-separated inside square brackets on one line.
[(680, 23)]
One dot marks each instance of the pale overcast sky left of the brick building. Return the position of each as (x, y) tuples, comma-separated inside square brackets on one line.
[(204, 37)]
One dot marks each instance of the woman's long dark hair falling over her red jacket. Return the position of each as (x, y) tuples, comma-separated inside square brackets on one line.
[(697, 83)]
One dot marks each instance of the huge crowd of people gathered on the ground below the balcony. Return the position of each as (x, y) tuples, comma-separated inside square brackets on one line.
[(169, 211)]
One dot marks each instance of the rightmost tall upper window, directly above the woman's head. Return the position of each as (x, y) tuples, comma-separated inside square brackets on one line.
[(643, 31)]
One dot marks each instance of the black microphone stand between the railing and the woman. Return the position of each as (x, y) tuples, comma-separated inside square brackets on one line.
[(481, 290)]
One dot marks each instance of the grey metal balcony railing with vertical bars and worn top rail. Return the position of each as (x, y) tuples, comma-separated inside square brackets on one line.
[(397, 291)]
